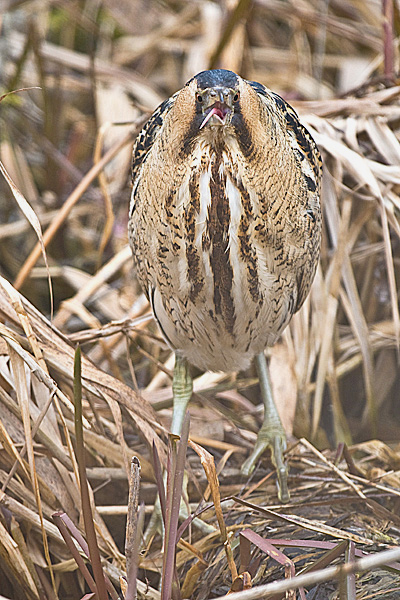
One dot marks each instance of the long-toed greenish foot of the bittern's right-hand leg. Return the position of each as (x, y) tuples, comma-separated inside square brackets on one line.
[(275, 440)]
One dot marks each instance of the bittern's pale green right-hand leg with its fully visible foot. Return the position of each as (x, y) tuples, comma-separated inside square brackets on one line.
[(271, 435)]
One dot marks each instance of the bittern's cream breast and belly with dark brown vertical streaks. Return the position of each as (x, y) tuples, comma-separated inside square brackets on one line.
[(222, 301)]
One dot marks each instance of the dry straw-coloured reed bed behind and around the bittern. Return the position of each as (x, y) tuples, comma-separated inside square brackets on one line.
[(87, 75)]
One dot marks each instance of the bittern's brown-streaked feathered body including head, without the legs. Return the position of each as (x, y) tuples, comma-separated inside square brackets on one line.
[(225, 219)]
